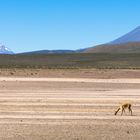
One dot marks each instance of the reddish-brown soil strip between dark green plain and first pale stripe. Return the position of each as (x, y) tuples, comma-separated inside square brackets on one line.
[(70, 73)]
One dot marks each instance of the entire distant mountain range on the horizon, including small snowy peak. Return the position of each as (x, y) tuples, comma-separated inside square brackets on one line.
[(128, 43)]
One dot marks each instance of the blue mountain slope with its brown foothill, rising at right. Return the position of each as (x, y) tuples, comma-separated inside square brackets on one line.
[(129, 43)]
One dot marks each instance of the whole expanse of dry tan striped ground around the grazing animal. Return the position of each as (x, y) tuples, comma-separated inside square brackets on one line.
[(66, 106)]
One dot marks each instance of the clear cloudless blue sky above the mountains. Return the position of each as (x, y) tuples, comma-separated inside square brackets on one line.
[(27, 25)]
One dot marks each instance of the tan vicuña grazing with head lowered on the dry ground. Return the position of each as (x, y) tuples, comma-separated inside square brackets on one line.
[(123, 107)]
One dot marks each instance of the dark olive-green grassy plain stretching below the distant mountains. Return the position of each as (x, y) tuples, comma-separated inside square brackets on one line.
[(71, 61)]
